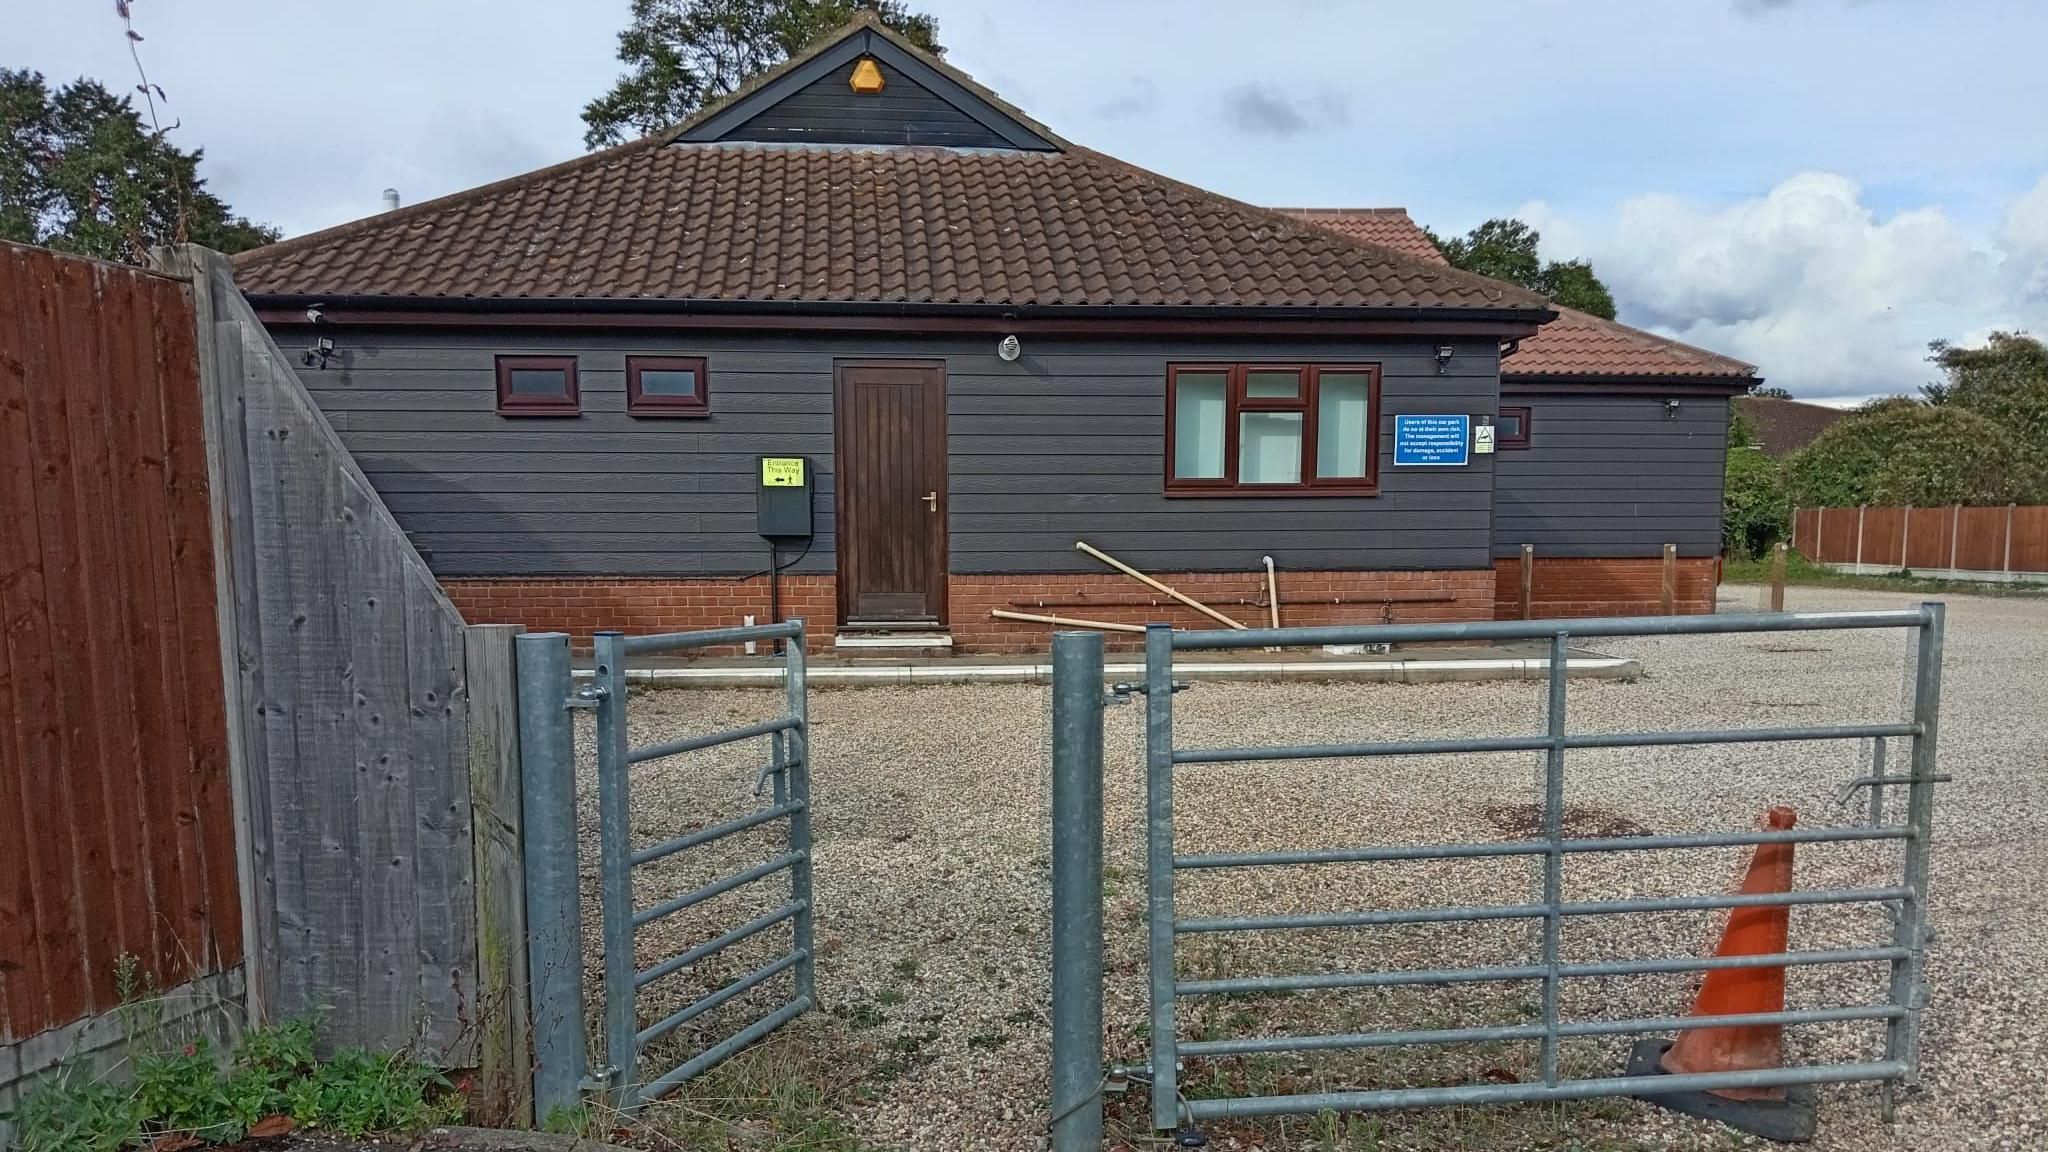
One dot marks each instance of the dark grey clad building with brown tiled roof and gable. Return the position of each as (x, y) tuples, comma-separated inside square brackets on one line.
[(871, 347)]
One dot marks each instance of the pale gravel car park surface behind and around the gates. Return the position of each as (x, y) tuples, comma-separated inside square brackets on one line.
[(933, 889)]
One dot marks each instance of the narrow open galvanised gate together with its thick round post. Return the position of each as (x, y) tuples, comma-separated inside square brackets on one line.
[(554, 917)]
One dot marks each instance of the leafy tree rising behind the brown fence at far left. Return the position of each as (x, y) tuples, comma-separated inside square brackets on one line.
[(81, 173)]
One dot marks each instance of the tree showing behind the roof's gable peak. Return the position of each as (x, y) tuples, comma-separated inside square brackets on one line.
[(687, 54)]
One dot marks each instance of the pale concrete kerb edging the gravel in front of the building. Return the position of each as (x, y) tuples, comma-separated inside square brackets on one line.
[(1418, 671)]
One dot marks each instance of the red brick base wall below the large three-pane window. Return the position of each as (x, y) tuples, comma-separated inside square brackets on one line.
[(1306, 600)]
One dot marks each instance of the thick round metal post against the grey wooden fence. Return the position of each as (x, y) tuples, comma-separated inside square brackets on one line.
[(554, 913)]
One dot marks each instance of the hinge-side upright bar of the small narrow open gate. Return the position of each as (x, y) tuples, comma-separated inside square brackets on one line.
[(615, 868)]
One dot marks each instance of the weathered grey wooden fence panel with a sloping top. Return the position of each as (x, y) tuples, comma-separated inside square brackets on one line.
[(351, 714)]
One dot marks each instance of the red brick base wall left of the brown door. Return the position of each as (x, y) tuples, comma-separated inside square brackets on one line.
[(587, 604)]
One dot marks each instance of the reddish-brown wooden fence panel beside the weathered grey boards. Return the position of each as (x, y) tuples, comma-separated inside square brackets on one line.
[(116, 805)]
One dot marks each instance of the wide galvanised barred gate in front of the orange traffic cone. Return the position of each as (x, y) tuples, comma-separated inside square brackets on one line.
[(1904, 954)]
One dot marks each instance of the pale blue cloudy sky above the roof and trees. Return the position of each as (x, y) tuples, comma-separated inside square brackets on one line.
[(1820, 188)]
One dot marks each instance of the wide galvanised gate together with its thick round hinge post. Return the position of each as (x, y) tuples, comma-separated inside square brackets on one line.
[(1078, 925)]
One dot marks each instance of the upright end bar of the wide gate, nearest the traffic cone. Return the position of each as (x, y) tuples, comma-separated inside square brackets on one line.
[(1902, 1038)]
